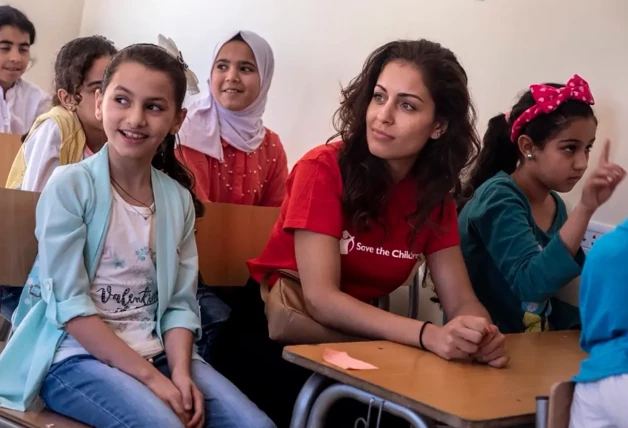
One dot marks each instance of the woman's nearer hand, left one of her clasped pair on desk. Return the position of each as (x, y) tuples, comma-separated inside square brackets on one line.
[(459, 339)]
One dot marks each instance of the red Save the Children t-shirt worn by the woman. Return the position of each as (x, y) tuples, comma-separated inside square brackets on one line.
[(373, 263)]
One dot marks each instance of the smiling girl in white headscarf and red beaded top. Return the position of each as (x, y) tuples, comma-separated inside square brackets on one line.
[(233, 157)]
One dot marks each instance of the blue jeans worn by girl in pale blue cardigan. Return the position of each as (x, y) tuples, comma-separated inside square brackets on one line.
[(98, 395)]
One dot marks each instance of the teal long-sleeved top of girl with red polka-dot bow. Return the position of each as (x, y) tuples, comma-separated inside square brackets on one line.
[(514, 266)]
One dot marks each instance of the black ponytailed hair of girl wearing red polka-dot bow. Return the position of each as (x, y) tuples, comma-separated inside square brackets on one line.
[(499, 153)]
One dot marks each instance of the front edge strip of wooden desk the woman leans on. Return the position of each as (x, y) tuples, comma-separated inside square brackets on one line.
[(341, 376)]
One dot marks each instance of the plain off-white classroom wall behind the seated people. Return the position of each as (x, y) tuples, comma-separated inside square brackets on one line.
[(320, 44)]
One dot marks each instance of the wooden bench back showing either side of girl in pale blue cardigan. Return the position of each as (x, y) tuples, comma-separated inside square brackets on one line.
[(227, 236)]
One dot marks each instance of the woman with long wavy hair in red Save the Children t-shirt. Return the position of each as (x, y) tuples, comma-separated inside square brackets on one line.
[(356, 217)]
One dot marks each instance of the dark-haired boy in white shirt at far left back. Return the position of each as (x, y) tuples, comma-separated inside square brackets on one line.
[(21, 102)]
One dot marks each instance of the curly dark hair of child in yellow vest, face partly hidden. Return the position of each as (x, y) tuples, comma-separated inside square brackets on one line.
[(74, 61)]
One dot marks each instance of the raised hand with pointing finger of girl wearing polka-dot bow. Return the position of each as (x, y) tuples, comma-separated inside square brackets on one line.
[(602, 183)]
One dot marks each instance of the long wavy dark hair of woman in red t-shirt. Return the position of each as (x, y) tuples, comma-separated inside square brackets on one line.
[(437, 170)]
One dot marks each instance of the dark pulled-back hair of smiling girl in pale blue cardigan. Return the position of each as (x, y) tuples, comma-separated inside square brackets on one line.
[(155, 58)]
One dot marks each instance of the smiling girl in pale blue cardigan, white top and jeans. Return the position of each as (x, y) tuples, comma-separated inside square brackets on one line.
[(105, 326)]
